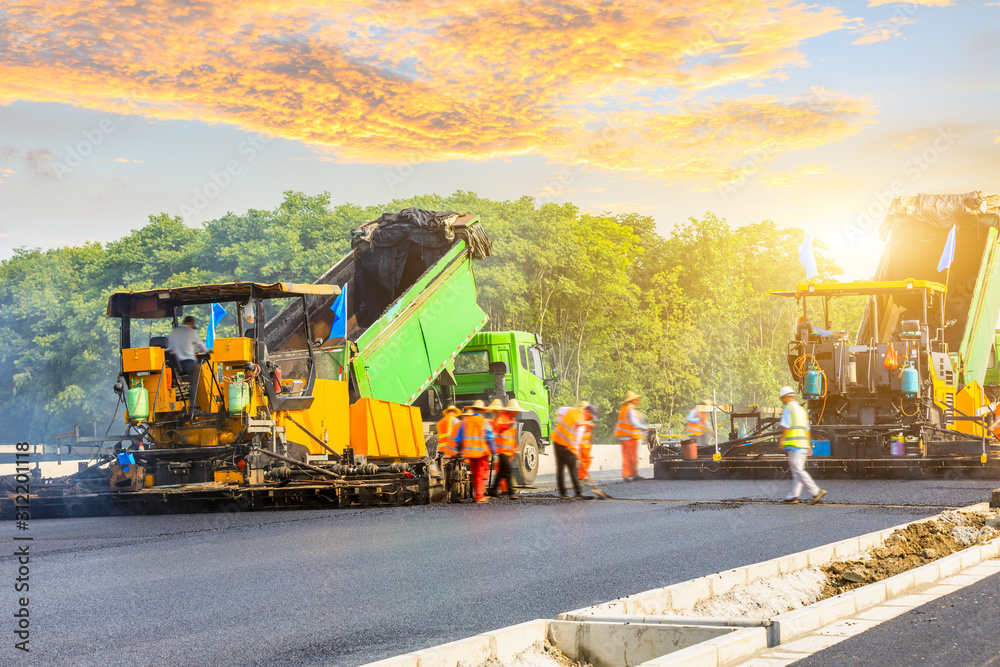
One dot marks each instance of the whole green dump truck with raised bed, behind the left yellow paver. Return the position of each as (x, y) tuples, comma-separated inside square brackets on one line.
[(413, 327)]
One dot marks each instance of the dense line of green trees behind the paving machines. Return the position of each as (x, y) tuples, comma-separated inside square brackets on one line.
[(676, 317)]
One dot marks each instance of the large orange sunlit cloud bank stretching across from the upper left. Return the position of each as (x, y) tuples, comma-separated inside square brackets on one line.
[(391, 80)]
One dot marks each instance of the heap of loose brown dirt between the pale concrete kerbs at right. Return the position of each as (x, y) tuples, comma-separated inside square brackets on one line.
[(907, 548)]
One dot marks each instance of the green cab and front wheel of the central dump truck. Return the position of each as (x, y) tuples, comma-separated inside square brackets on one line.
[(506, 365)]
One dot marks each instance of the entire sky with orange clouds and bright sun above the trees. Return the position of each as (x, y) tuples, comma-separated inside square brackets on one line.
[(810, 115)]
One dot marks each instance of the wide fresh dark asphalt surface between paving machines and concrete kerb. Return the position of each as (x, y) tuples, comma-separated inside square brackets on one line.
[(351, 586)]
